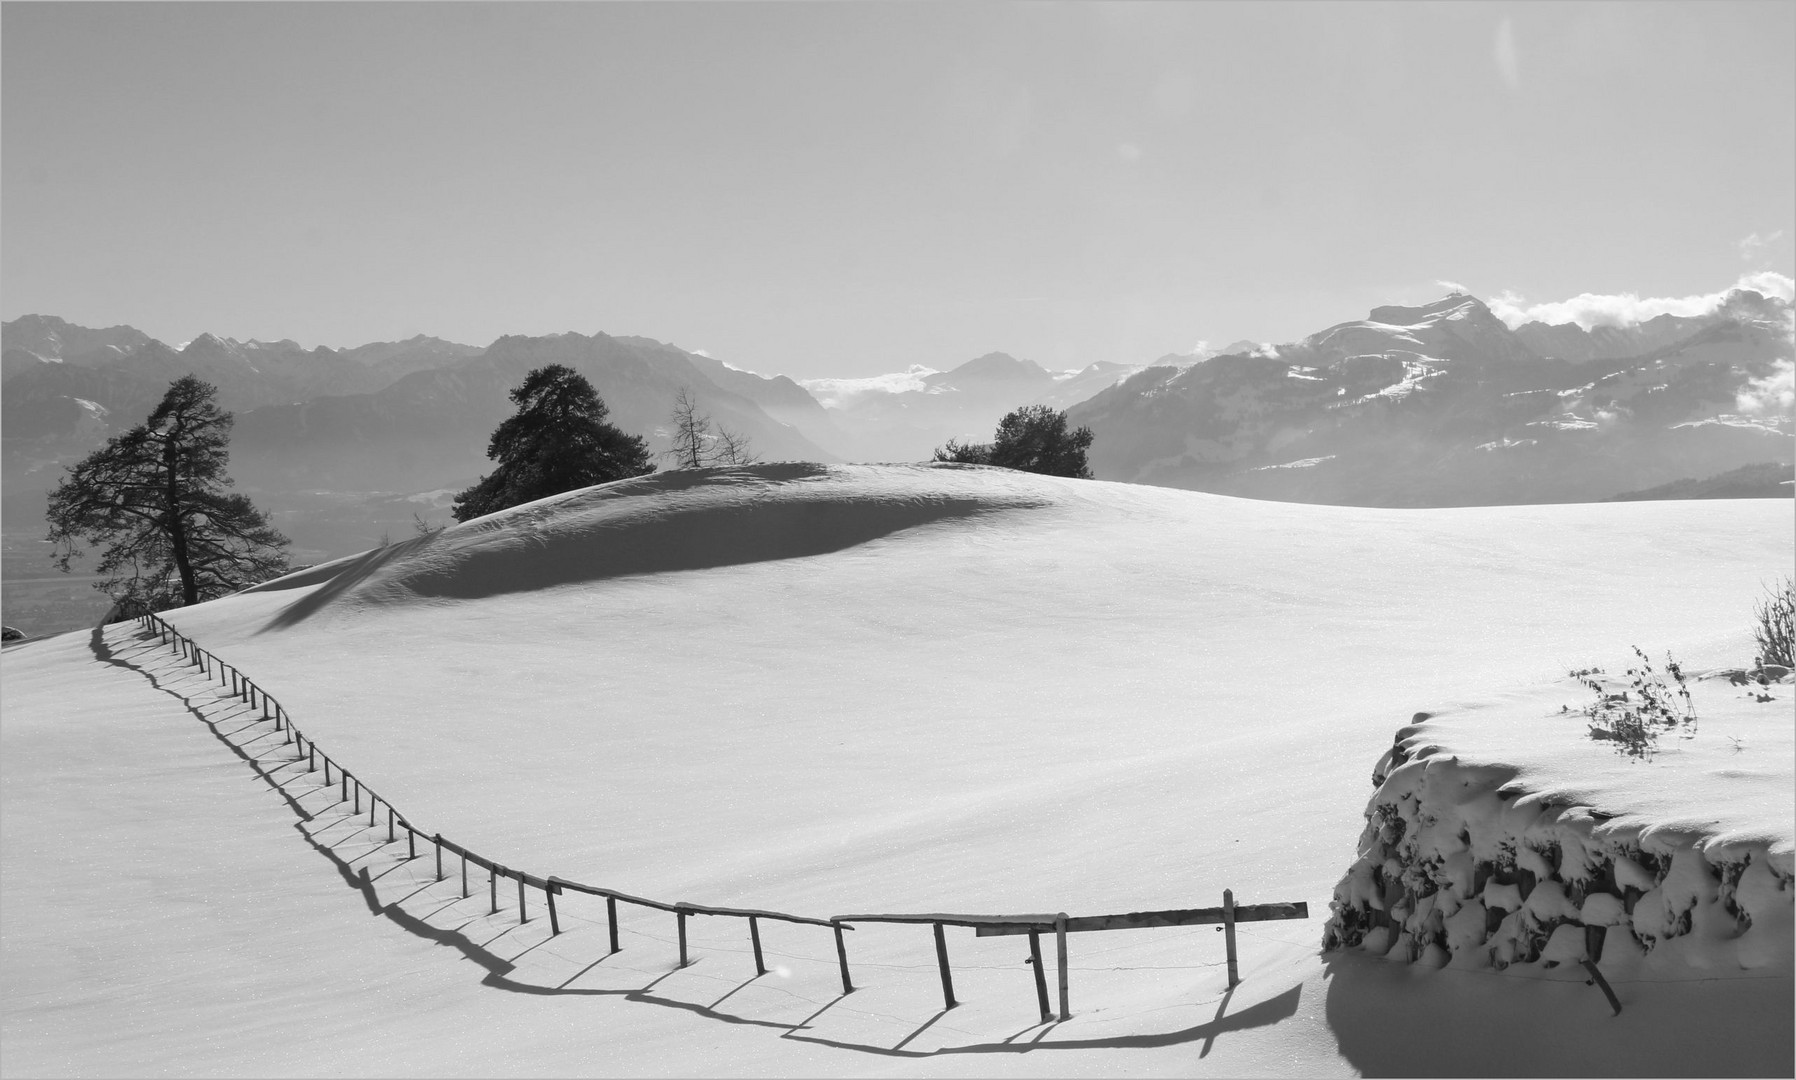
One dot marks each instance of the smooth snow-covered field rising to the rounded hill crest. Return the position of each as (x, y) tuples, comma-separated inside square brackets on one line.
[(852, 689)]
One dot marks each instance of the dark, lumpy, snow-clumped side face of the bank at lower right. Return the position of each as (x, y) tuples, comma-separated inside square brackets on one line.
[(1459, 865)]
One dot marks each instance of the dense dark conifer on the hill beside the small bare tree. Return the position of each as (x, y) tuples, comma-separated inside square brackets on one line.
[(556, 441)]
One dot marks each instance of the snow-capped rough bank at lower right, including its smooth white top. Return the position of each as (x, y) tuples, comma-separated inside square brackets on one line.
[(1504, 854)]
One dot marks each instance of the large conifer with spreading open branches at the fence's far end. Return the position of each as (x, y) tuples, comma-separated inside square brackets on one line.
[(157, 500)]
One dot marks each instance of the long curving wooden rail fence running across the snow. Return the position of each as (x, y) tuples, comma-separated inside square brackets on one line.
[(351, 790)]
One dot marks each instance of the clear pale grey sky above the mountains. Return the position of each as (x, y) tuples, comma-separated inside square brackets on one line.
[(847, 190)]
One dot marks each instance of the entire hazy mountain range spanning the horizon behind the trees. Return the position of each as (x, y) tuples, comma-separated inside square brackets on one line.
[(1432, 405)]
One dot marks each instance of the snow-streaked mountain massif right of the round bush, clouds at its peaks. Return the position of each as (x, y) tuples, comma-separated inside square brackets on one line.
[(1447, 405)]
